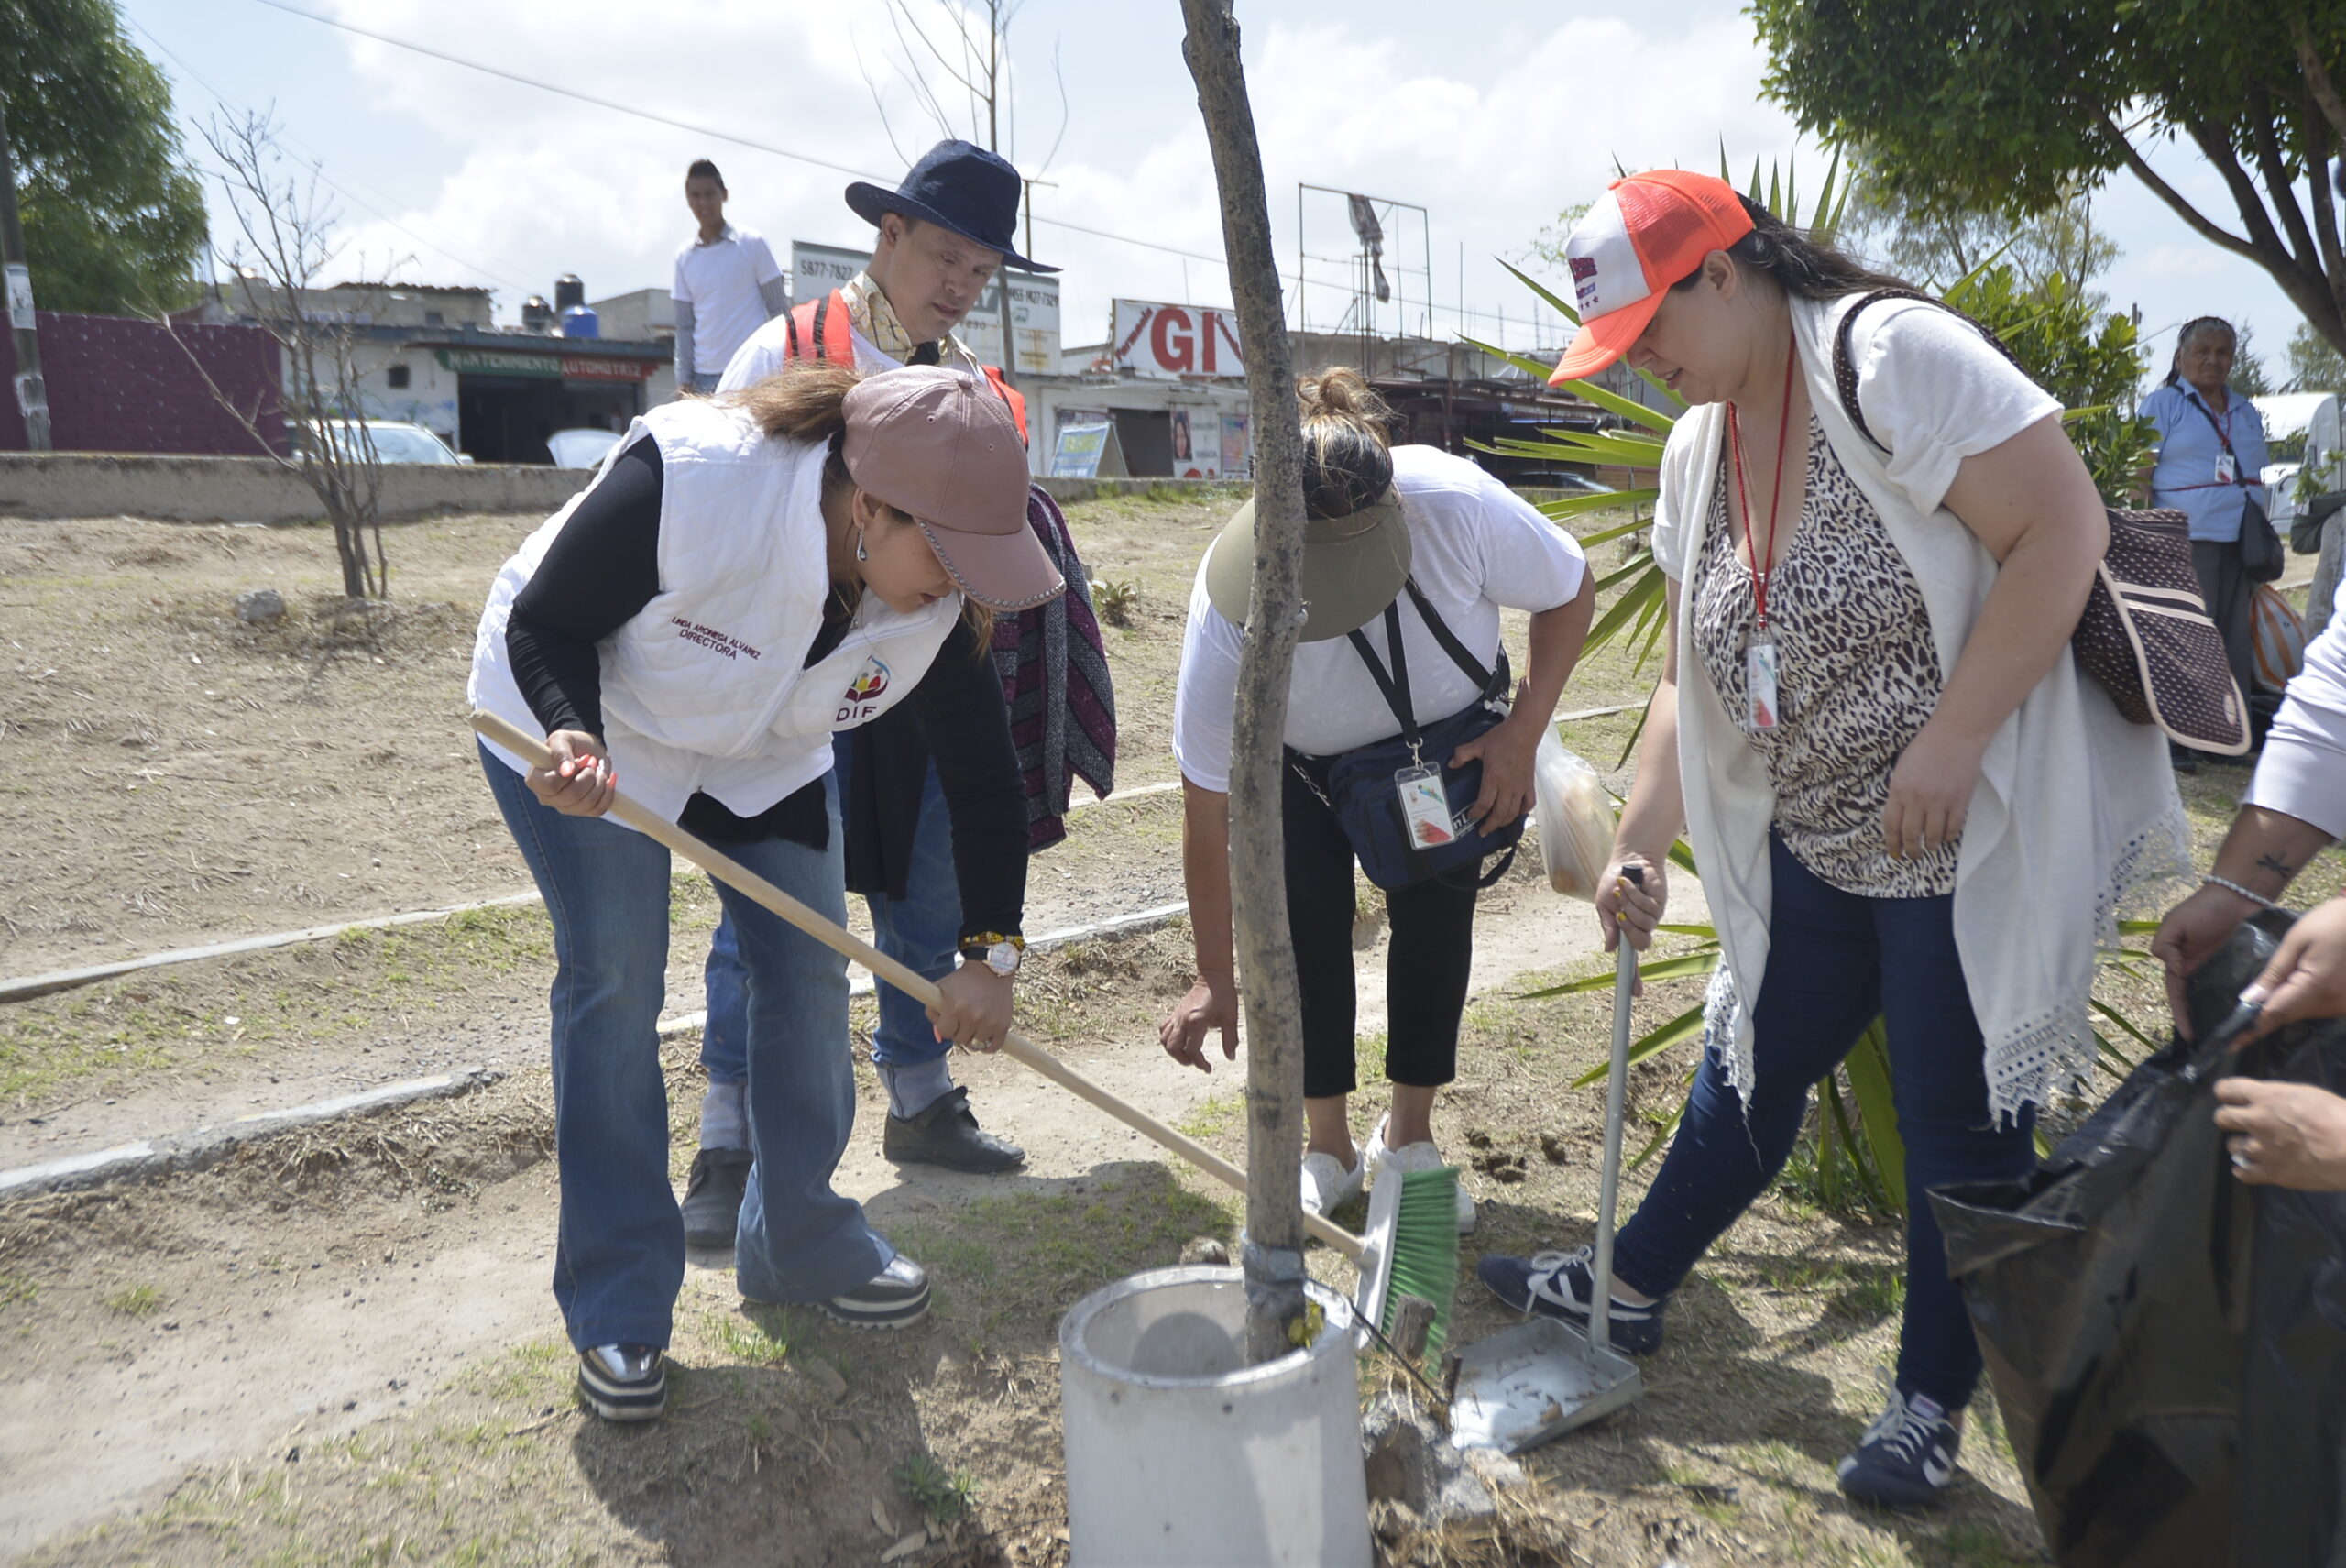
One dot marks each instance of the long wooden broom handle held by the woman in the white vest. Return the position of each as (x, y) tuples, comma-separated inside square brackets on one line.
[(921, 989)]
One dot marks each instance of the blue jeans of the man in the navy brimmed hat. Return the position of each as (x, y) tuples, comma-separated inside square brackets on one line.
[(921, 931)]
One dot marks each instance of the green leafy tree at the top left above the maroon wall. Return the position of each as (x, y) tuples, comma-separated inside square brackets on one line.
[(114, 217)]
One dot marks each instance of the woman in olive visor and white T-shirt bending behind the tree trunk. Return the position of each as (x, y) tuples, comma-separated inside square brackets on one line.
[(1402, 752)]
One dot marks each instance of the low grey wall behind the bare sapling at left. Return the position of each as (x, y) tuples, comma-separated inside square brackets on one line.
[(259, 492)]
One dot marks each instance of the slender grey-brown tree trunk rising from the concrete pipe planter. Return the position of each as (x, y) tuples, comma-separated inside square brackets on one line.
[(1275, 1050)]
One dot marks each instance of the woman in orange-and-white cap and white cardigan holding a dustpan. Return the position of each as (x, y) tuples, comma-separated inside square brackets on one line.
[(1901, 792)]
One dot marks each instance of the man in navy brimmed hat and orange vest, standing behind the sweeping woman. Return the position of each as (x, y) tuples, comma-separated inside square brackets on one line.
[(942, 238)]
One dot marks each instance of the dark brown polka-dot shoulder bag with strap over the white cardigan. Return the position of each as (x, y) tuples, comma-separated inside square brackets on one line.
[(2145, 633)]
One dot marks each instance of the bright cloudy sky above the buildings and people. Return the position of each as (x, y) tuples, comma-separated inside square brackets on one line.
[(1493, 121)]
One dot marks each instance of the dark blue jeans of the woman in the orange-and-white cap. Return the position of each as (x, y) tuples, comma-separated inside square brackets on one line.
[(1836, 964)]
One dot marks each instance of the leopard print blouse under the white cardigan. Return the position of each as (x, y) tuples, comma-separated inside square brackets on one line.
[(1857, 677)]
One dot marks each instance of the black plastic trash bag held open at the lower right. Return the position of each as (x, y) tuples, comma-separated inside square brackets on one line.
[(2167, 1344)]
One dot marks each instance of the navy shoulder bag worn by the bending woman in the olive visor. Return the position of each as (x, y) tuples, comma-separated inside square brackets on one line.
[(1362, 790)]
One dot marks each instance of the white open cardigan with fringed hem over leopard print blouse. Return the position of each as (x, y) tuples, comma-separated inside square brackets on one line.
[(2075, 806)]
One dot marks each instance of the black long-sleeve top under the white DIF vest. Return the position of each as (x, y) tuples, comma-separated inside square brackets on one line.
[(604, 569)]
